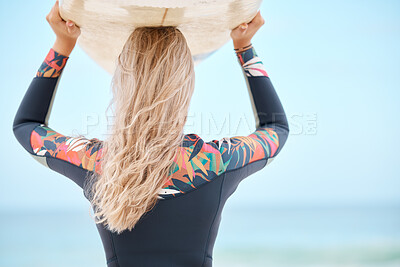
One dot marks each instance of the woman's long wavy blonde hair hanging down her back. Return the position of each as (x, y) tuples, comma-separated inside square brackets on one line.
[(152, 87)]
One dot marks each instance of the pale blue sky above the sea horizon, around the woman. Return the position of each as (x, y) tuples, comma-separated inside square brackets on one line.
[(334, 64)]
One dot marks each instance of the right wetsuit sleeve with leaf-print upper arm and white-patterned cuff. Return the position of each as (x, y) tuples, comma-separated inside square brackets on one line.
[(271, 129)]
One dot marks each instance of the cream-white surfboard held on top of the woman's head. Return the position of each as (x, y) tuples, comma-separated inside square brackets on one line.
[(106, 24)]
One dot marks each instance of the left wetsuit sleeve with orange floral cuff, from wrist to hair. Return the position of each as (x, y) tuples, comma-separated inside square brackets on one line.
[(70, 156)]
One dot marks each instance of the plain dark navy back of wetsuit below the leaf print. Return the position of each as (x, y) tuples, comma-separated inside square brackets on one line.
[(180, 231)]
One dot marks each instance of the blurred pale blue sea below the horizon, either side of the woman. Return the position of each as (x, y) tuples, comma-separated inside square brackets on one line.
[(276, 237)]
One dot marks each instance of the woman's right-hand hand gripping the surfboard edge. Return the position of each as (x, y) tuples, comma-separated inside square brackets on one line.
[(242, 34)]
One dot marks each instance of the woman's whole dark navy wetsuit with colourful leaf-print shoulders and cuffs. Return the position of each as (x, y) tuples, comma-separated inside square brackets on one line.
[(181, 229)]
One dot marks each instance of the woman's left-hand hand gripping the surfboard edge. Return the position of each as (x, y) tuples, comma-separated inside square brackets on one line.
[(67, 32)]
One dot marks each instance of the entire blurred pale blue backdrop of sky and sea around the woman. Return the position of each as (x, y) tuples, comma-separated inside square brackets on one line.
[(332, 197)]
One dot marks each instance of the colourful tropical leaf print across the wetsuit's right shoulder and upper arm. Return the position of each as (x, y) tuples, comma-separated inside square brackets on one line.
[(197, 162)]
